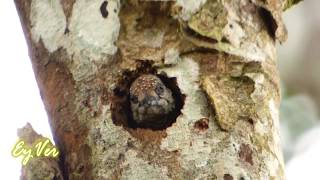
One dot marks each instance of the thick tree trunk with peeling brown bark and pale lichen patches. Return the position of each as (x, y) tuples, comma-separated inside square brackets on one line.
[(218, 56)]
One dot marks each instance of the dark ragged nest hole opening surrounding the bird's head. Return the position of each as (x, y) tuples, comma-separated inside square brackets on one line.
[(120, 101)]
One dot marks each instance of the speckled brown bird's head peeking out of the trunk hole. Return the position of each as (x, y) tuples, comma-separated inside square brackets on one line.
[(151, 101)]
